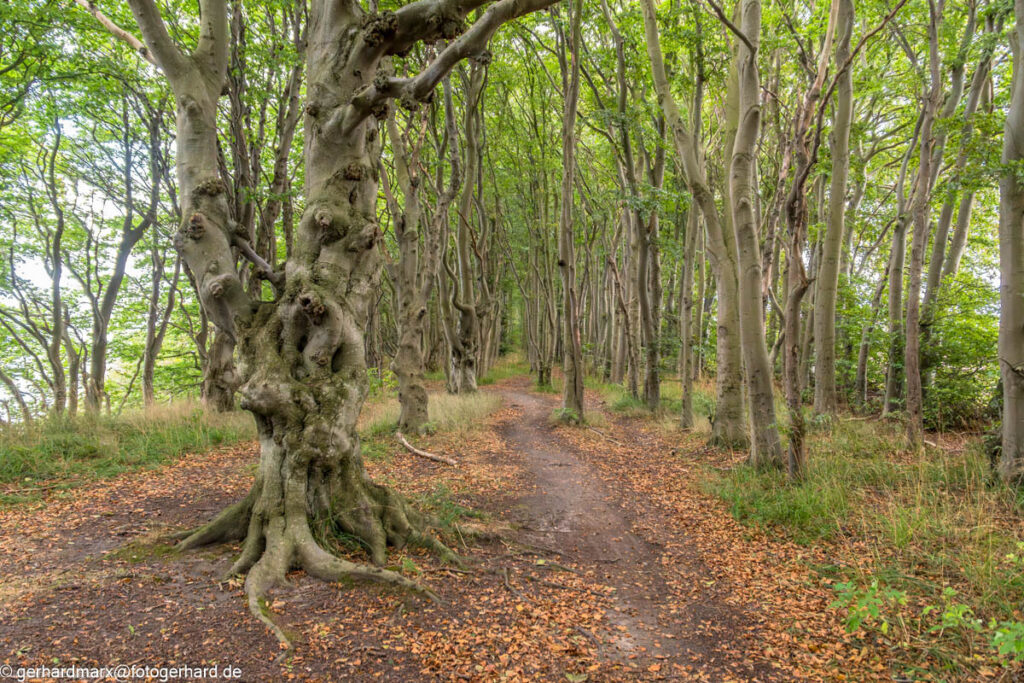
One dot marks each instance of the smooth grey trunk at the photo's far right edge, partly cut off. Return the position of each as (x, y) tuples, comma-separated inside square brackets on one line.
[(1011, 466)]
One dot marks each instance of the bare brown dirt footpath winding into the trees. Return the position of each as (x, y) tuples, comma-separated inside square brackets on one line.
[(660, 619)]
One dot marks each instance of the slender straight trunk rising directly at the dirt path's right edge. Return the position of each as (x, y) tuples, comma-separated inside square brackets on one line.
[(573, 366)]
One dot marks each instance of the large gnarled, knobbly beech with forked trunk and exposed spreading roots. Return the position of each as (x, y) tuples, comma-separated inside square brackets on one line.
[(302, 355)]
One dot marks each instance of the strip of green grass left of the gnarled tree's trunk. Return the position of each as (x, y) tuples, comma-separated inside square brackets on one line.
[(63, 453)]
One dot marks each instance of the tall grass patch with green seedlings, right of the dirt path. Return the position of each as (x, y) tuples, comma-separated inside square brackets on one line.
[(945, 543)]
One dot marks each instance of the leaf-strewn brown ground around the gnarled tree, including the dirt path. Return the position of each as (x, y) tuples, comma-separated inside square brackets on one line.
[(613, 567)]
